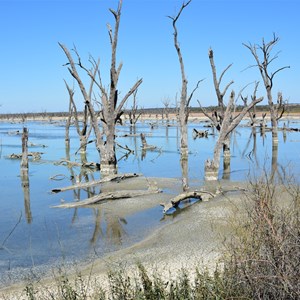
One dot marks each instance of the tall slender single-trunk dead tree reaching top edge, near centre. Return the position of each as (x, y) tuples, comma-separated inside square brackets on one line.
[(184, 98)]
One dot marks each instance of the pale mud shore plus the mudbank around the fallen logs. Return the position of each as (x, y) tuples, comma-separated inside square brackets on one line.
[(193, 236)]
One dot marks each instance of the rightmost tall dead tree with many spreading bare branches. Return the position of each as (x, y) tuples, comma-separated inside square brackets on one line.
[(263, 59)]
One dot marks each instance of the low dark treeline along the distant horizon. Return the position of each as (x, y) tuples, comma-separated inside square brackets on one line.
[(147, 111)]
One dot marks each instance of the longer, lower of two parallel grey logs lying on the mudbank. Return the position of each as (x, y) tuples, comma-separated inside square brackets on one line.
[(109, 196)]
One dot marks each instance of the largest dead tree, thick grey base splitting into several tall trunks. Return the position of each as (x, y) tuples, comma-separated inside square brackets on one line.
[(111, 107)]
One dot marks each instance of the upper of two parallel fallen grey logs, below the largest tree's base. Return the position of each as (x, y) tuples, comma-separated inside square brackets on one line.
[(95, 182)]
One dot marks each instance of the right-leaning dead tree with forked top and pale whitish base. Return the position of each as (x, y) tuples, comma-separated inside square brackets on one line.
[(228, 125)]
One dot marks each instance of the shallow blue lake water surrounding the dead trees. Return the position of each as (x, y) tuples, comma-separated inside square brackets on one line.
[(46, 236)]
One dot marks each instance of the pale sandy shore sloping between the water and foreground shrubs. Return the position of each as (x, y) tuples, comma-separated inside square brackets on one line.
[(193, 237)]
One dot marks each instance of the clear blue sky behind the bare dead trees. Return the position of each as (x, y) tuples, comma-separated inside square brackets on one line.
[(31, 62)]
